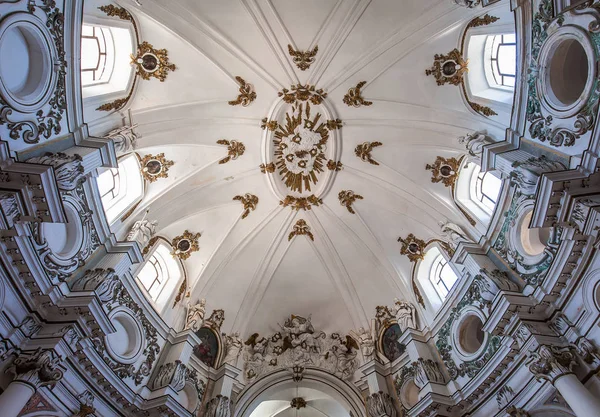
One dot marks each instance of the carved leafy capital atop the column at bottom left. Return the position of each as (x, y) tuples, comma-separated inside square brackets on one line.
[(39, 368)]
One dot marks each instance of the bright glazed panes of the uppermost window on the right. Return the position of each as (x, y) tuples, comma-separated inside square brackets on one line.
[(501, 60)]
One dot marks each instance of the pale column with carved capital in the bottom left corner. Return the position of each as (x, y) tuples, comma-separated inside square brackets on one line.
[(33, 370)]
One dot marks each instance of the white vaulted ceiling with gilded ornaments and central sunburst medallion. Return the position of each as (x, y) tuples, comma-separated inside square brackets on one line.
[(299, 133)]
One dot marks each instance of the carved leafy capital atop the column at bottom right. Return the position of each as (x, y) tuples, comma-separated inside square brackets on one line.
[(552, 362)]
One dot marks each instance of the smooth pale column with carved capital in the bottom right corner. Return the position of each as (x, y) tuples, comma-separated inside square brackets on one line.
[(555, 364)]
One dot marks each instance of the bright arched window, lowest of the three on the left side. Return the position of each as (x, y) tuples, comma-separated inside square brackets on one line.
[(159, 276)]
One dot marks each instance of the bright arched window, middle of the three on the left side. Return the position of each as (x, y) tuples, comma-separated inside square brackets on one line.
[(120, 188)]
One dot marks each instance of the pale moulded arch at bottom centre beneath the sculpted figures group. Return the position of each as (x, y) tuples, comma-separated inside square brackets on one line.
[(346, 395)]
